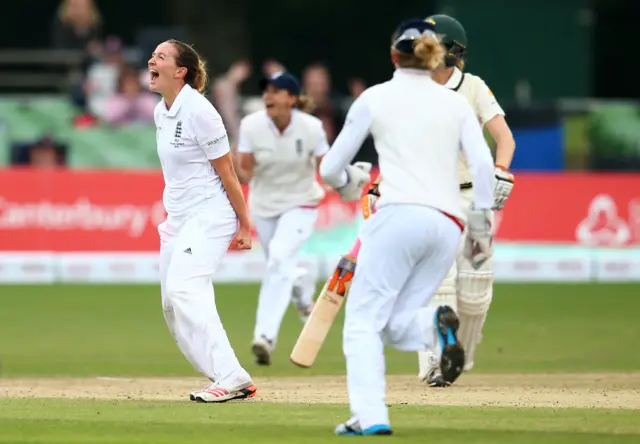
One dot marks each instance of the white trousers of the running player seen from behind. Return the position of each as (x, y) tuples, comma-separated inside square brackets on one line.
[(406, 252)]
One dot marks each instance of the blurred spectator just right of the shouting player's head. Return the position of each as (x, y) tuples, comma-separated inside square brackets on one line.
[(226, 95)]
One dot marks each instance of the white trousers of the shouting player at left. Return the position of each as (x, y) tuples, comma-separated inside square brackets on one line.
[(191, 248)]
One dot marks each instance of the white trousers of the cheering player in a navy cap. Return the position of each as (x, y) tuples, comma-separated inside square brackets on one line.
[(281, 237)]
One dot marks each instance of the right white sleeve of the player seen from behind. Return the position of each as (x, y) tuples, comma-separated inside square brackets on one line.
[(478, 156)]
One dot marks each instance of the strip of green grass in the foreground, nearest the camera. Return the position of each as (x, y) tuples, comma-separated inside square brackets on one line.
[(57, 421)]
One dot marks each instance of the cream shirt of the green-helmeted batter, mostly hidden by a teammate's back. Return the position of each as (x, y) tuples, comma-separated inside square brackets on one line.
[(481, 99)]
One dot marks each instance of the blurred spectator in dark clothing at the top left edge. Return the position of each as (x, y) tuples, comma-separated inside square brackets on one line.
[(77, 26)]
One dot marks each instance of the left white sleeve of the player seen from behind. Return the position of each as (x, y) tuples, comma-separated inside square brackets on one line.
[(356, 128)]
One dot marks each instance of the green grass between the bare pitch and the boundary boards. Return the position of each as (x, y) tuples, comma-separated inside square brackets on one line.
[(119, 331)]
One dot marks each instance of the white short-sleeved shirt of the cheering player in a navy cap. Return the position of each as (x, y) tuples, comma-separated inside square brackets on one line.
[(284, 176)]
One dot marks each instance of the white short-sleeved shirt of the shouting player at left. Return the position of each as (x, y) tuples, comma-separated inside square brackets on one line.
[(189, 135)]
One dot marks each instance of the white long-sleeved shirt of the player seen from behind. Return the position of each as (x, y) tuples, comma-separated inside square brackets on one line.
[(419, 128)]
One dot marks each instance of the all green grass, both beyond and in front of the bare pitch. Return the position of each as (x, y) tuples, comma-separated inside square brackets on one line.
[(74, 330)]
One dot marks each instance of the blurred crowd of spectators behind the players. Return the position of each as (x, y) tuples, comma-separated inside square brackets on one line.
[(113, 89)]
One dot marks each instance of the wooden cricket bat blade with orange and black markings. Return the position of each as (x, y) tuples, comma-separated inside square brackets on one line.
[(324, 313)]
